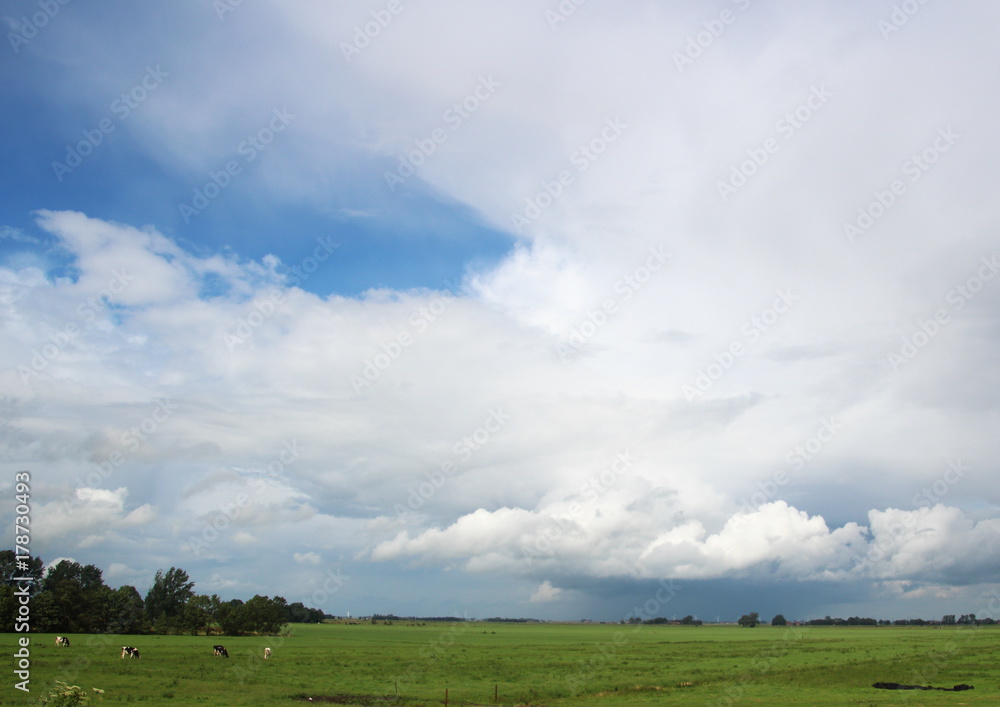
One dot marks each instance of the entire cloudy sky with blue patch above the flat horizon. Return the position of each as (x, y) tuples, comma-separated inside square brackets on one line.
[(550, 309)]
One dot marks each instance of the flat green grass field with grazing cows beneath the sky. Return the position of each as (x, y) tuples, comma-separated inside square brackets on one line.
[(531, 664)]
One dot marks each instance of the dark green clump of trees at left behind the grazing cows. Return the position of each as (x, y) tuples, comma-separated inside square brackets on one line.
[(72, 598)]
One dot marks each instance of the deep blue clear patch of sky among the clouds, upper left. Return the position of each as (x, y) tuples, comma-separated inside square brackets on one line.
[(407, 237)]
